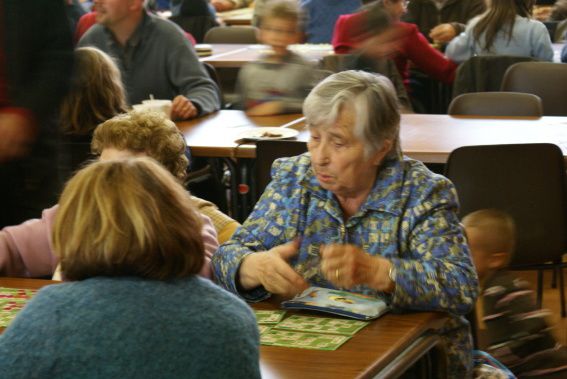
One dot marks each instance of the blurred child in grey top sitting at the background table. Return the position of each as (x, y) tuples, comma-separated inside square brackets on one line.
[(280, 80)]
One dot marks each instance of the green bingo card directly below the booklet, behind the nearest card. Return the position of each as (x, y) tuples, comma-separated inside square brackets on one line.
[(321, 325)]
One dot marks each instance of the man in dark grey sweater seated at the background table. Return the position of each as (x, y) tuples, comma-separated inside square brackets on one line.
[(154, 56)]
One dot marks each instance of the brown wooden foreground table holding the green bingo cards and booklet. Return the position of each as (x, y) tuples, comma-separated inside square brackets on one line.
[(385, 348)]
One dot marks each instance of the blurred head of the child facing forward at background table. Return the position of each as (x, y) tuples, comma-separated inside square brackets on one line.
[(280, 25)]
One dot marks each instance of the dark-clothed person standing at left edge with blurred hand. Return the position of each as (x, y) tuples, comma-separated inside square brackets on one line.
[(35, 64)]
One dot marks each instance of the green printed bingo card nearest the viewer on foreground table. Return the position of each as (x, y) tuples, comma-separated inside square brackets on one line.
[(302, 340)]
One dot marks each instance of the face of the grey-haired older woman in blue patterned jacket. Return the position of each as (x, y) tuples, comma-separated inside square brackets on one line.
[(338, 159)]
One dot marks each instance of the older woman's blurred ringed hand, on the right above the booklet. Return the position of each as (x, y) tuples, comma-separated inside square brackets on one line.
[(347, 266)]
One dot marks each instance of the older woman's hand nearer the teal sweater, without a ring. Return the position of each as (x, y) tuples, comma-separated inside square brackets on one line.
[(271, 270)]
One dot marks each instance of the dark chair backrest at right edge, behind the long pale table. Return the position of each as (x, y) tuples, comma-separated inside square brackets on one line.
[(544, 79)]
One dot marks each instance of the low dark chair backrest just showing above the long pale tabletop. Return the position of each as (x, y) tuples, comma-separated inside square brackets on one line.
[(496, 104)]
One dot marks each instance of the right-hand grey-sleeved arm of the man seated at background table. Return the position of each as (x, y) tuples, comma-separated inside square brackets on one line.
[(189, 77)]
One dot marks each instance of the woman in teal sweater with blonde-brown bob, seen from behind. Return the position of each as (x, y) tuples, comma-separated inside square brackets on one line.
[(128, 239)]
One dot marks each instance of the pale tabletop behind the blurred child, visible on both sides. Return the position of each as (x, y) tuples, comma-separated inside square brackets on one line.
[(237, 55)]
